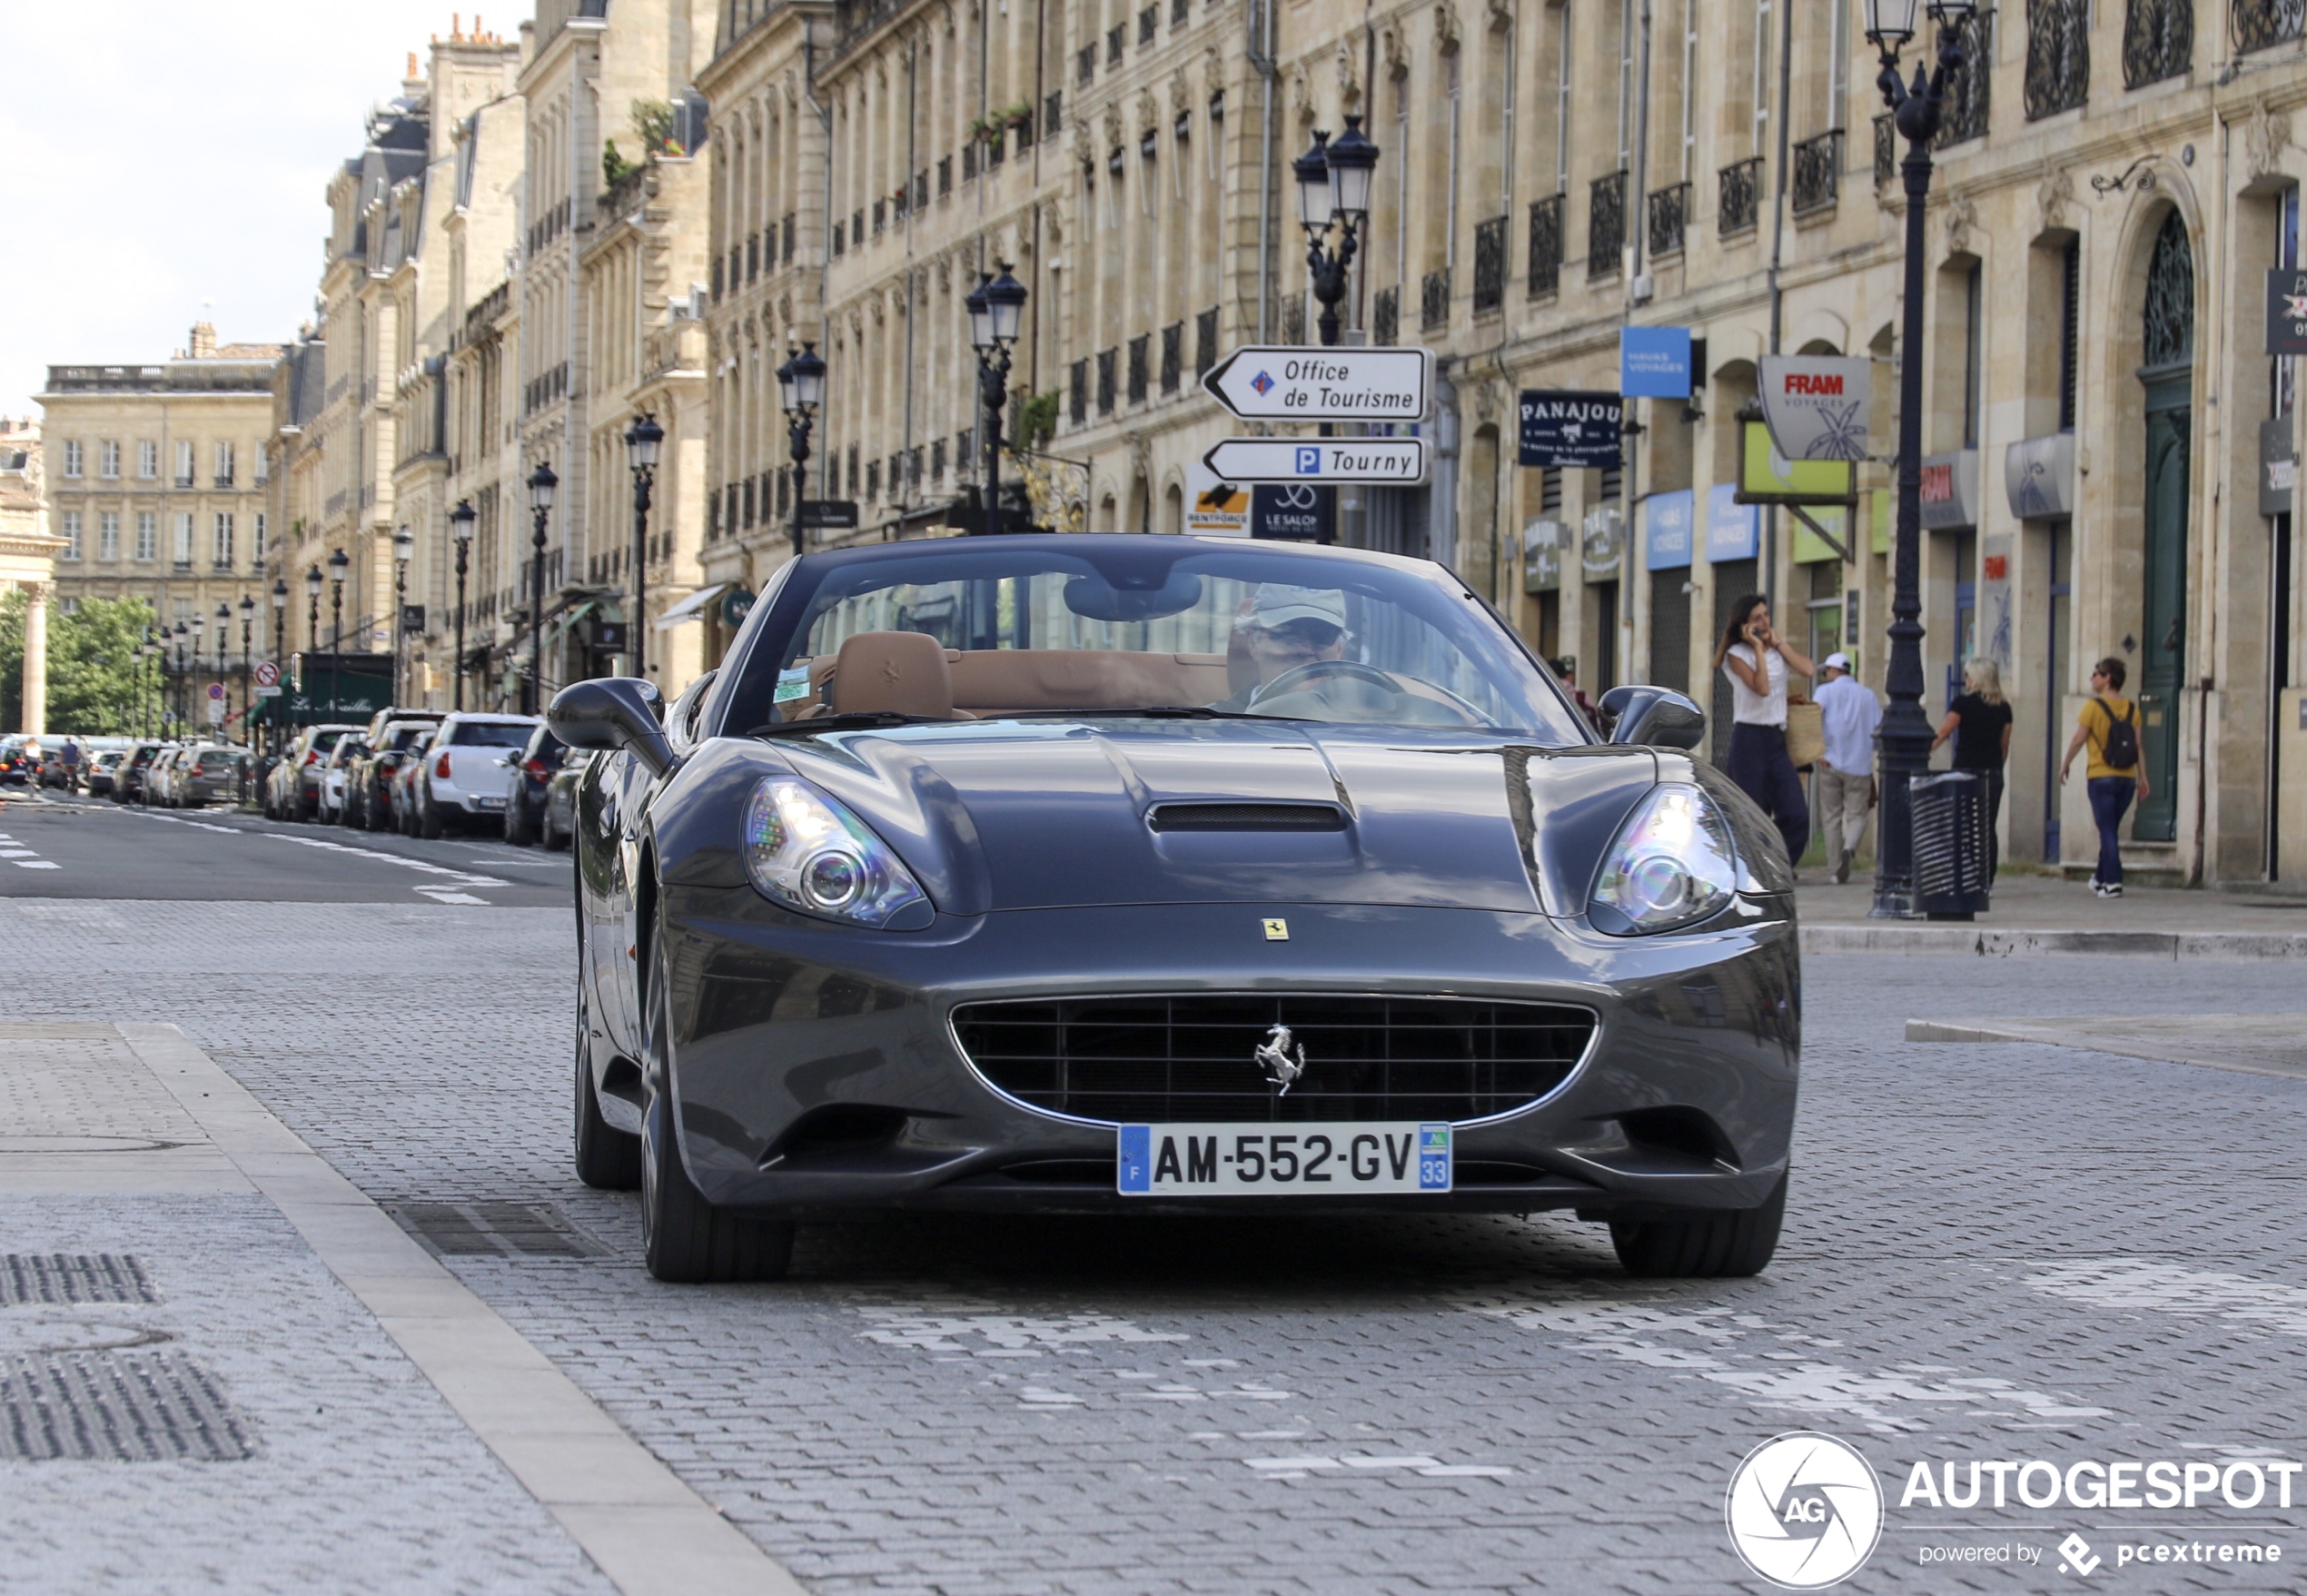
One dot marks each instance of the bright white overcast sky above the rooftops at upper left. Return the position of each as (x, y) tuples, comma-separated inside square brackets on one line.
[(167, 156)]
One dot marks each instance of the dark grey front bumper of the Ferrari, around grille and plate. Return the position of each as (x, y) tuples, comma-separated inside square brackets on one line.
[(816, 1069)]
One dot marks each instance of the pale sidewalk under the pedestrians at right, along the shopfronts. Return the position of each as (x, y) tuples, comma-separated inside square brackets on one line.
[(2047, 917)]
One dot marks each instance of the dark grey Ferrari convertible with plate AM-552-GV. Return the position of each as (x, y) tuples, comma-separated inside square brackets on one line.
[(1168, 875)]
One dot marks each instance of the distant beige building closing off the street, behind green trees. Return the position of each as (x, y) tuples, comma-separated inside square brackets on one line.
[(158, 488)]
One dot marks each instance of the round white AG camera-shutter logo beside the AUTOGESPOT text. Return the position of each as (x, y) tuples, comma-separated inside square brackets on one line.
[(1805, 1510)]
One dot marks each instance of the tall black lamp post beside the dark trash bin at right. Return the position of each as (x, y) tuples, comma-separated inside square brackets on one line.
[(1907, 732)]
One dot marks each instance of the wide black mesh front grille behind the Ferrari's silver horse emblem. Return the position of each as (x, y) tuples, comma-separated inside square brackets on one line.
[(1194, 1060)]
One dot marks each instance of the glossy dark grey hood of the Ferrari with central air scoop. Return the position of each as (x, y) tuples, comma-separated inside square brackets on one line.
[(1049, 815)]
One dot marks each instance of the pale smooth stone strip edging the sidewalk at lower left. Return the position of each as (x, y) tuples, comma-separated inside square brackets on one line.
[(631, 1514)]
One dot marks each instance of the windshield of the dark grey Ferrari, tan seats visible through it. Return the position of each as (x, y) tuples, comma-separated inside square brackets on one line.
[(956, 631)]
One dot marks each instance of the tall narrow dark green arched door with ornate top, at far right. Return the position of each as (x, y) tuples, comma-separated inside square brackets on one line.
[(2167, 366)]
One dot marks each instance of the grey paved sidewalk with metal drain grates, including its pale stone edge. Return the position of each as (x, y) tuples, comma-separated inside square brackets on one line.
[(303, 1396)]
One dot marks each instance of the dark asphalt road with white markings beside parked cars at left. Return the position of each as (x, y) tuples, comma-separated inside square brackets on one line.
[(98, 850)]
